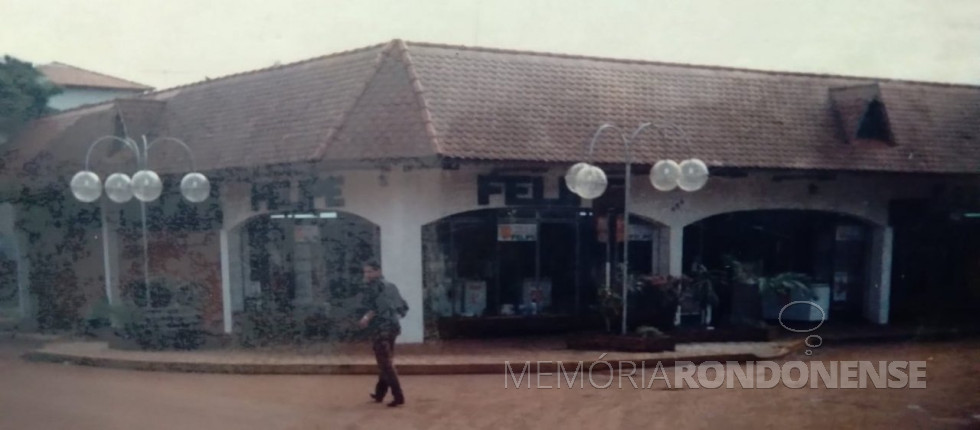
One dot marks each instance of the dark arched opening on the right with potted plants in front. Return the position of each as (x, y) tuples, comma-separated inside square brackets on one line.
[(832, 250)]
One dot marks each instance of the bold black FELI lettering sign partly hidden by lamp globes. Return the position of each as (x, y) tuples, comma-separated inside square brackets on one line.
[(522, 191)]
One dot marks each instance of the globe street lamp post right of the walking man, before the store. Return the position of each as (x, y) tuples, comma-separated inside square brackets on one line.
[(589, 182)]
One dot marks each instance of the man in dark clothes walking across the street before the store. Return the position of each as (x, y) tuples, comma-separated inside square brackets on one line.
[(385, 307)]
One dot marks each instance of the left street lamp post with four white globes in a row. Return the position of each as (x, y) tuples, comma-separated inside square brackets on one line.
[(145, 185)]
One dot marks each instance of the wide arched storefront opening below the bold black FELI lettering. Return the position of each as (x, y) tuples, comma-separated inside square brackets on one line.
[(521, 271)]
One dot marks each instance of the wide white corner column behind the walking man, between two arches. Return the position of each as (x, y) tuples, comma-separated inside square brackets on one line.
[(401, 263)]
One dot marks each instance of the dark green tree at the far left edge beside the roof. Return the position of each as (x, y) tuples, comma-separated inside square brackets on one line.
[(24, 94)]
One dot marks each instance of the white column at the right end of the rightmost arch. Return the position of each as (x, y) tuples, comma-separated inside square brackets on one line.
[(878, 292)]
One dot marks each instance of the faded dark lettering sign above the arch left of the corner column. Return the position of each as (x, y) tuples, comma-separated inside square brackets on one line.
[(278, 195)]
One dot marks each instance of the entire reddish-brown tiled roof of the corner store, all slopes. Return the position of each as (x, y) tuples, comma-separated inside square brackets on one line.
[(412, 100)]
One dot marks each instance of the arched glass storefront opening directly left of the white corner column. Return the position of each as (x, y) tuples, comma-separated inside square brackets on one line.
[(305, 267)]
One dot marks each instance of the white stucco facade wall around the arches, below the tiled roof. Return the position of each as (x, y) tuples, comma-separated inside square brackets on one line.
[(406, 201)]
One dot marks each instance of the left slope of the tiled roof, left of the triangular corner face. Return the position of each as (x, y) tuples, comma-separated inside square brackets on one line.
[(280, 115)]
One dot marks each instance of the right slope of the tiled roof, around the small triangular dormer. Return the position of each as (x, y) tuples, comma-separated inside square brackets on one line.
[(490, 104)]
